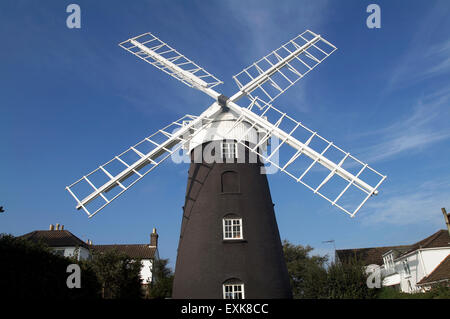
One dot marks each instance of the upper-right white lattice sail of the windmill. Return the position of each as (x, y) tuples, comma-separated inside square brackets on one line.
[(272, 75)]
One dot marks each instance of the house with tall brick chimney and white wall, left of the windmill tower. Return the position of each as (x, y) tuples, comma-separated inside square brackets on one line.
[(147, 253)]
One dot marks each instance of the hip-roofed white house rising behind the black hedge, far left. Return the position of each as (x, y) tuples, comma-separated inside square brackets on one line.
[(61, 241)]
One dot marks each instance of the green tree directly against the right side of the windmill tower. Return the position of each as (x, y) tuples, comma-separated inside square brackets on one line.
[(307, 273)]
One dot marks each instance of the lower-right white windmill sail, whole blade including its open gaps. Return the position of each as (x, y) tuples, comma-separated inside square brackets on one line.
[(340, 174)]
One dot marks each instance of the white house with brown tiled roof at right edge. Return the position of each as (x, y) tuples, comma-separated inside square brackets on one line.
[(408, 268)]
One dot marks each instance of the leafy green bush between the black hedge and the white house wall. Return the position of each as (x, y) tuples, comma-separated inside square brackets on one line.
[(118, 274)]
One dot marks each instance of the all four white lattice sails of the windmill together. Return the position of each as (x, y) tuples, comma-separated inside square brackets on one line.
[(262, 82)]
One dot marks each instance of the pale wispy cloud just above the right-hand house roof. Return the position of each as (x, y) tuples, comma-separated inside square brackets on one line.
[(420, 204)]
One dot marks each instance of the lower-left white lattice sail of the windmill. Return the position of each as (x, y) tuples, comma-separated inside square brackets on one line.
[(96, 190)]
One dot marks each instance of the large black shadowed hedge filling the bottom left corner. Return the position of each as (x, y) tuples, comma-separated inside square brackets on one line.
[(31, 270)]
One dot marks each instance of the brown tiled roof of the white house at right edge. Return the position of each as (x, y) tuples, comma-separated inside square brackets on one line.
[(374, 255)]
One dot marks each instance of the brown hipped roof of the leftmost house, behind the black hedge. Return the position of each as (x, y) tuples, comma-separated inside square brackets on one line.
[(55, 238)]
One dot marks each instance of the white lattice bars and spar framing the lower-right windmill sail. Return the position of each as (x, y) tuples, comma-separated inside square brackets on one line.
[(272, 129)]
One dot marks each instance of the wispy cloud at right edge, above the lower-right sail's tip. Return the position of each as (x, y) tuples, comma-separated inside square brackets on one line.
[(424, 127)]
